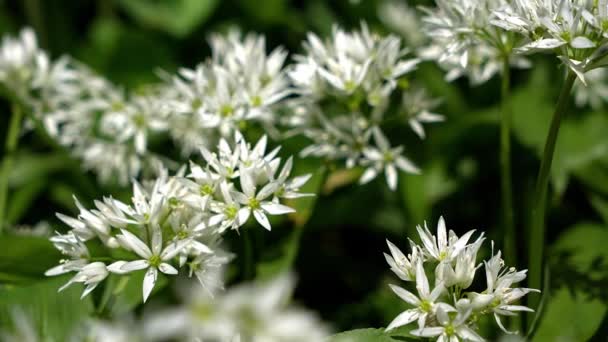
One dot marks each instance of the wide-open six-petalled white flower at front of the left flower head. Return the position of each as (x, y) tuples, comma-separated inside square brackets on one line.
[(153, 259)]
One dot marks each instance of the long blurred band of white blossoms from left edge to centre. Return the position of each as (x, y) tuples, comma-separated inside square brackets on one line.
[(339, 95)]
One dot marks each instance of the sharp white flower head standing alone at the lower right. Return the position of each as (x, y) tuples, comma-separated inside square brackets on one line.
[(450, 309)]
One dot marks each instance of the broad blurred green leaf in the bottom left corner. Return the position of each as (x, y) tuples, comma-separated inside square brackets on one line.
[(53, 316)]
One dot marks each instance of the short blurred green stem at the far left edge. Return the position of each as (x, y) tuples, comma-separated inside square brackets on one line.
[(10, 146)]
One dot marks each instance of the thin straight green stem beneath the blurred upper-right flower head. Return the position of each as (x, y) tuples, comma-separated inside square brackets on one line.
[(505, 166)]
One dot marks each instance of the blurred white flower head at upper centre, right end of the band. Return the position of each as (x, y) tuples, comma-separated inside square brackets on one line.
[(345, 86)]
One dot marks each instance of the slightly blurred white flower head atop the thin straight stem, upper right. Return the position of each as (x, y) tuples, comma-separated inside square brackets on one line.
[(464, 42)]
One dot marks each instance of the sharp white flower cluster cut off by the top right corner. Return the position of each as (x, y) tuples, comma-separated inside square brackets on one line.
[(576, 30)]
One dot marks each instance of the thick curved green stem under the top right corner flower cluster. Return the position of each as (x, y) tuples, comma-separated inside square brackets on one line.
[(537, 232)]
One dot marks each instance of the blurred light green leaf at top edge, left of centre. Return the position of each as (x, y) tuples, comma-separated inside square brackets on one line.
[(176, 17)]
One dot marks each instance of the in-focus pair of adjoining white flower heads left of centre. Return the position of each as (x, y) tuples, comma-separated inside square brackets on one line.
[(177, 222)]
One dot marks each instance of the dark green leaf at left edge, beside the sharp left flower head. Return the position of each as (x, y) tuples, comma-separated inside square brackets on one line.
[(26, 257)]
